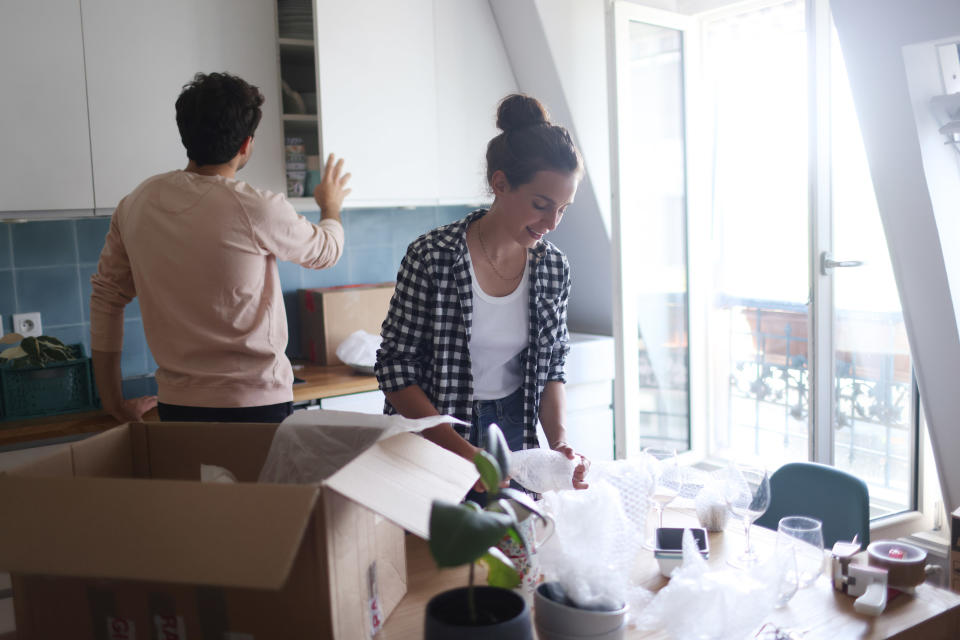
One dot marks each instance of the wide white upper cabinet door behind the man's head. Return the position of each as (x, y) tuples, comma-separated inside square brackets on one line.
[(140, 53)]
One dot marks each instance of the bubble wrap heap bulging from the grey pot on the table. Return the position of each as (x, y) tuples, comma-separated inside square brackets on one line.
[(598, 535)]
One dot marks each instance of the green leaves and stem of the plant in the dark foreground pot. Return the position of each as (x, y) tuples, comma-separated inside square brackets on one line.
[(468, 533)]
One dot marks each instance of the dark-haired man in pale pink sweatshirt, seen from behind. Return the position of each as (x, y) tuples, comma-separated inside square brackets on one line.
[(199, 249)]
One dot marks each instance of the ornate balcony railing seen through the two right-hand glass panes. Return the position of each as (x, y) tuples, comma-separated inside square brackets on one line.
[(872, 419)]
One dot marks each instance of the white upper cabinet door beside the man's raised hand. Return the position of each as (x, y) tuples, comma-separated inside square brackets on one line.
[(378, 99)]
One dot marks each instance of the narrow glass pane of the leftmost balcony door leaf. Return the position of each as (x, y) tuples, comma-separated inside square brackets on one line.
[(653, 398)]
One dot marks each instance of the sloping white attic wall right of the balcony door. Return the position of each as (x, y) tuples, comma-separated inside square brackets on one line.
[(924, 260)]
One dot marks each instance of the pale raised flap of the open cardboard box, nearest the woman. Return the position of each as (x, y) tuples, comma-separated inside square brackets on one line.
[(399, 478)]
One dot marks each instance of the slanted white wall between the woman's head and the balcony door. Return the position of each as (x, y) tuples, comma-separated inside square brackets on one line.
[(557, 51)]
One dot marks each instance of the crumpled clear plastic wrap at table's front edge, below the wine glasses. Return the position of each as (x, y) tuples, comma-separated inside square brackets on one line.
[(704, 604)]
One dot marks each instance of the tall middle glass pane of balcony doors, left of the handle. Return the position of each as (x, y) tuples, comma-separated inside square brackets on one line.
[(755, 77)]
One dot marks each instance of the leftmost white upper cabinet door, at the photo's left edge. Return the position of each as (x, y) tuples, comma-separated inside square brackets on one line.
[(45, 162)]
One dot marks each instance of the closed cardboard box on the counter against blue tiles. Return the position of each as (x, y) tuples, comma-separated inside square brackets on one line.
[(328, 315)]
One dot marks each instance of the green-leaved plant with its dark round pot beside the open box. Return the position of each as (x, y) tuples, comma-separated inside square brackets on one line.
[(467, 533)]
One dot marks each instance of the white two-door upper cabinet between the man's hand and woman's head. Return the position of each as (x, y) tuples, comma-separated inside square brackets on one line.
[(408, 95)]
